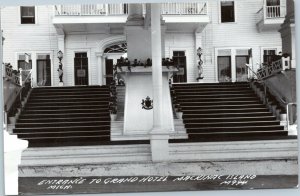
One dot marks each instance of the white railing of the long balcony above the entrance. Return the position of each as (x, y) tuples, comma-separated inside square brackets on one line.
[(199, 8)]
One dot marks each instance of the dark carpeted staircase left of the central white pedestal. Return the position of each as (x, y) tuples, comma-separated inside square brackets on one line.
[(59, 116)]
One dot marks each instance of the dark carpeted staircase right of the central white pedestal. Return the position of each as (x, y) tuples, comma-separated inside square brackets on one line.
[(224, 112)]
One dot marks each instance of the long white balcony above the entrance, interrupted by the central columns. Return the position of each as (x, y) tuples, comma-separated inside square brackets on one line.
[(115, 15)]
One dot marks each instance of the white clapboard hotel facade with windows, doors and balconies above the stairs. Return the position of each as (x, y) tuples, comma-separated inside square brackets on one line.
[(226, 31)]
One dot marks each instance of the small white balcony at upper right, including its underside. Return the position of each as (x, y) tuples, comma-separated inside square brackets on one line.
[(270, 17)]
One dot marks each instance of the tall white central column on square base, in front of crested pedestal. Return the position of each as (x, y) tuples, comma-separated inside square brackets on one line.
[(159, 136)]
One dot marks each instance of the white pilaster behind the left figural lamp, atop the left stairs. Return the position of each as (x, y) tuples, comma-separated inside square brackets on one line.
[(61, 47)]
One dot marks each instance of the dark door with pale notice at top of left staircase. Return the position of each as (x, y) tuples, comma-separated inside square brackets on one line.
[(81, 71)]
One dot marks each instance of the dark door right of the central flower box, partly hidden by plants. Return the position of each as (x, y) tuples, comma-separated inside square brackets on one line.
[(179, 59)]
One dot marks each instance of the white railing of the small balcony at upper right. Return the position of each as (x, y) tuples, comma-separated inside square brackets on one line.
[(271, 12)]
